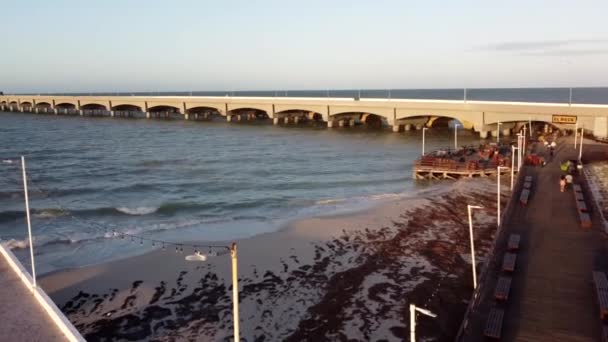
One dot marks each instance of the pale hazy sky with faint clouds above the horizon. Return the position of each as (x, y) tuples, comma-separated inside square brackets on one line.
[(122, 45)]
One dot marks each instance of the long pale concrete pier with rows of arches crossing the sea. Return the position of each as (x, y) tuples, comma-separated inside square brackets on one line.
[(485, 117)]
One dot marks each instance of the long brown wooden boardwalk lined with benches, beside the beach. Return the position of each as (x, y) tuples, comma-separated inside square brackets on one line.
[(552, 294)]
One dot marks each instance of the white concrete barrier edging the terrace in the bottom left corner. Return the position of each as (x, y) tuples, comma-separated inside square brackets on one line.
[(49, 306)]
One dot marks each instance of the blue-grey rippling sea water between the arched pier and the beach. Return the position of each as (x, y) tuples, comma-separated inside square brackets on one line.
[(183, 181)]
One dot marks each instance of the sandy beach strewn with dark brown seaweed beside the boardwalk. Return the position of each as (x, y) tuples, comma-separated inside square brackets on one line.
[(348, 277)]
